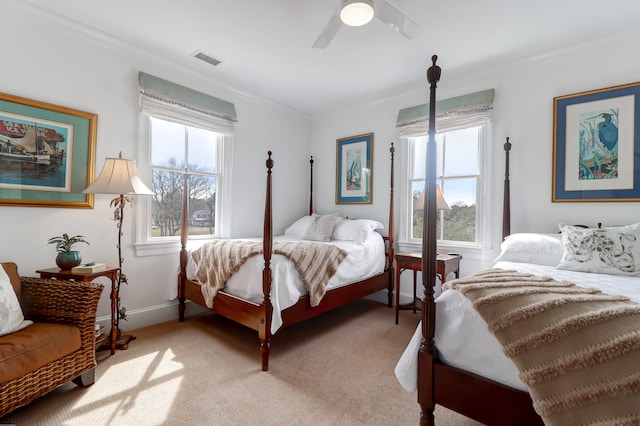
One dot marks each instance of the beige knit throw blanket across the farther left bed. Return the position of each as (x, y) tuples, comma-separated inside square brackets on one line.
[(218, 260)]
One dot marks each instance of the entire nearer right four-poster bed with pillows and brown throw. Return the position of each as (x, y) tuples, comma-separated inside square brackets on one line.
[(575, 368)]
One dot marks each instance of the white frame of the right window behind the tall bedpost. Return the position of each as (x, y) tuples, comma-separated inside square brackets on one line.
[(483, 200)]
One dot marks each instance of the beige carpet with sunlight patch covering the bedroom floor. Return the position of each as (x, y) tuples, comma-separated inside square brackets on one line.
[(336, 369)]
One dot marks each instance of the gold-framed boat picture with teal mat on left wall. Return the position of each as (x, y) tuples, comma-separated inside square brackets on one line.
[(47, 154)]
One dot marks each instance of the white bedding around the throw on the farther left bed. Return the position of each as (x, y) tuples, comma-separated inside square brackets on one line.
[(365, 260)]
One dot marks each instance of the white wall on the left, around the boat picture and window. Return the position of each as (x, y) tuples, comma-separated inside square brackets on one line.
[(50, 62)]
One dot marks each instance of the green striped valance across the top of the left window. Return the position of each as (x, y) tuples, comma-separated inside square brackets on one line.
[(174, 94)]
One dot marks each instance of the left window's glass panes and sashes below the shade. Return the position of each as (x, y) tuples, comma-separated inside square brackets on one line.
[(177, 149)]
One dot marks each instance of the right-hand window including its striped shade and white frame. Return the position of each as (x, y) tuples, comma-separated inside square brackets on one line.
[(462, 169)]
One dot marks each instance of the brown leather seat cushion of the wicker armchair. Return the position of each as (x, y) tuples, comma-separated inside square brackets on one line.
[(37, 345)]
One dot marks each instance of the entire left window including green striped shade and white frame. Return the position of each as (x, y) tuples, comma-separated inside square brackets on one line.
[(189, 134)]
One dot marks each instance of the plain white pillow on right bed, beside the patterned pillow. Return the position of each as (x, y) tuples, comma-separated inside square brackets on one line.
[(539, 249)]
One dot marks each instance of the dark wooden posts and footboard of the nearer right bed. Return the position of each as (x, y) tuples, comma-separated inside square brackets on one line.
[(438, 383)]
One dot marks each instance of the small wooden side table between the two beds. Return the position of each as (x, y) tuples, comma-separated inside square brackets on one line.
[(445, 264)]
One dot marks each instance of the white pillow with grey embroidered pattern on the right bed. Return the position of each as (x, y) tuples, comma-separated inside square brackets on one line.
[(613, 250)]
